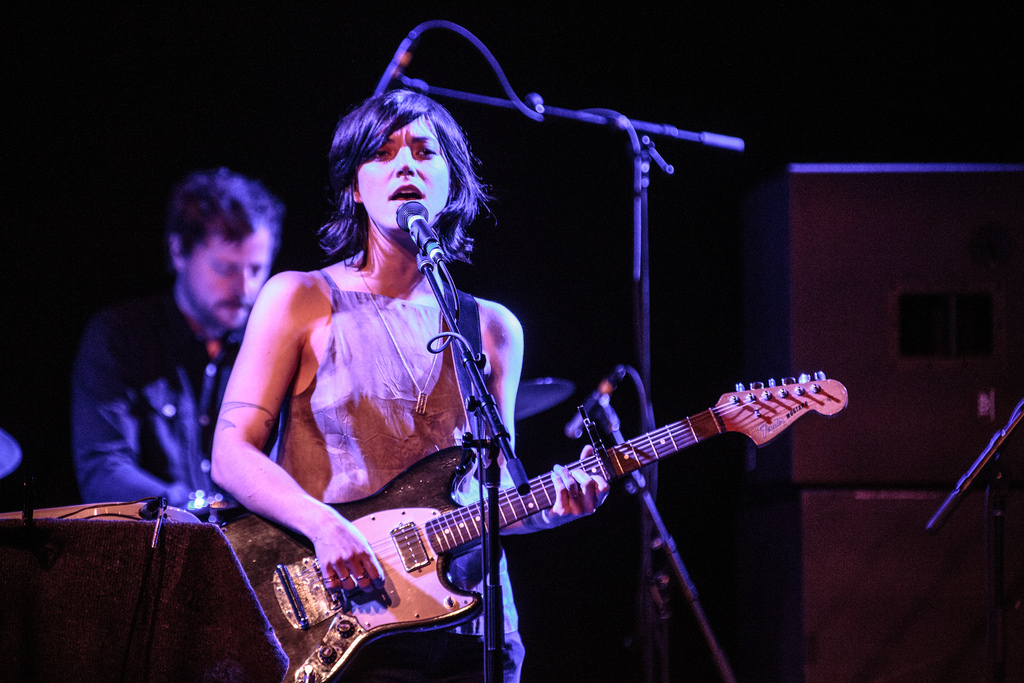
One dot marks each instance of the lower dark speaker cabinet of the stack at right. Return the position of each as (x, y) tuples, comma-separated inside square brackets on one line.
[(848, 587)]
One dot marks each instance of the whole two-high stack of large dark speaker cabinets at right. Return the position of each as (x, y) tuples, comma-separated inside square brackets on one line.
[(907, 284)]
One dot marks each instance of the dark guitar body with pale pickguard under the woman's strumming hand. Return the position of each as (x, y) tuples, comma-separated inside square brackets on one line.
[(417, 595)]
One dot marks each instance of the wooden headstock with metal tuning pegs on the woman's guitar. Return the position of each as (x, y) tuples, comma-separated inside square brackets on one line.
[(762, 412)]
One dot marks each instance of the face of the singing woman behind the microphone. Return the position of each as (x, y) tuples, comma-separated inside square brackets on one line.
[(408, 167)]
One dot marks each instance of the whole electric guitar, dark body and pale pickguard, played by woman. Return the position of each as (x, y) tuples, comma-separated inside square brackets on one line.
[(415, 528)]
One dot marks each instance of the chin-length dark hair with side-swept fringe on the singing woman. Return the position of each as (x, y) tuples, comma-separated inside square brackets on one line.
[(361, 134)]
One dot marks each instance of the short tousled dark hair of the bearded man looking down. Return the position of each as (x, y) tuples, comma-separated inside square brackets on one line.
[(223, 203)]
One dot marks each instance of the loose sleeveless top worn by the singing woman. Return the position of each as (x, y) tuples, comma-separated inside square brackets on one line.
[(355, 429)]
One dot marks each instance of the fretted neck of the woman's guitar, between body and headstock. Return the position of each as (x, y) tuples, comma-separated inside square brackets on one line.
[(464, 526)]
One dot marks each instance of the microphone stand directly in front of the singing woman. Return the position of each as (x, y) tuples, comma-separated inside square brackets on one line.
[(482, 404)]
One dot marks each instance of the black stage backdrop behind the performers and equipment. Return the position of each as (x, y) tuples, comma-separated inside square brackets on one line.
[(109, 105)]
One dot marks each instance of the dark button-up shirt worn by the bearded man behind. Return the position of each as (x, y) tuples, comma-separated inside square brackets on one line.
[(145, 403)]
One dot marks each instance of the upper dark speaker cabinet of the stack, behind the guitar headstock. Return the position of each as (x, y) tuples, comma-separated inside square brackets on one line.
[(907, 284)]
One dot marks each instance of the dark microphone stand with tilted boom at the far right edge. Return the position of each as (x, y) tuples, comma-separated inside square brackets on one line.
[(989, 468)]
